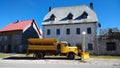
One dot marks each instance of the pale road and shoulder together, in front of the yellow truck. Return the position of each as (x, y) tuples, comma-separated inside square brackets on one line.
[(59, 63)]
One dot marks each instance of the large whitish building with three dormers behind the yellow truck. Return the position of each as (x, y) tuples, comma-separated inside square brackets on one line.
[(68, 23)]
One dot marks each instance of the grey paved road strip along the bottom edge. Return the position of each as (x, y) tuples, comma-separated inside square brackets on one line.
[(21, 65)]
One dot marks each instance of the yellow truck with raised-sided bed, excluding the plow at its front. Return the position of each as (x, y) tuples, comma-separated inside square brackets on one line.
[(51, 46)]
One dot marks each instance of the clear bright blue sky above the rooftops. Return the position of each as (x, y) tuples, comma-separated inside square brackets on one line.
[(108, 11)]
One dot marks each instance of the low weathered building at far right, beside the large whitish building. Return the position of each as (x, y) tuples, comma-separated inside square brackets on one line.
[(109, 42)]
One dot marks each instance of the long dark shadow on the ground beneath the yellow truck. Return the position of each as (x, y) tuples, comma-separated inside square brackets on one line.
[(32, 58)]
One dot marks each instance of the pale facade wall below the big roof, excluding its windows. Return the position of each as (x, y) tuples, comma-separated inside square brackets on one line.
[(72, 38)]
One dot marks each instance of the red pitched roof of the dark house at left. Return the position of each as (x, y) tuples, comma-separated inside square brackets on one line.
[(19, 25)]
